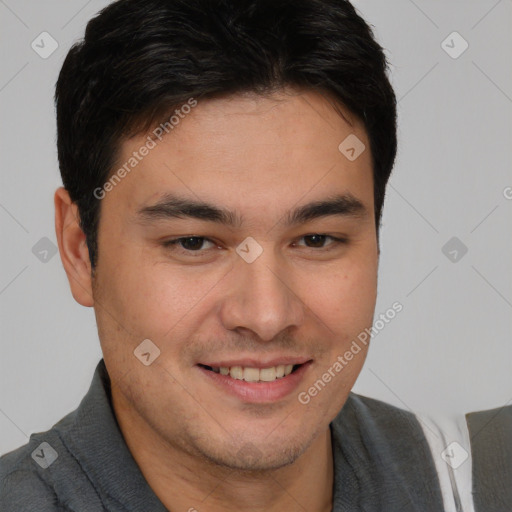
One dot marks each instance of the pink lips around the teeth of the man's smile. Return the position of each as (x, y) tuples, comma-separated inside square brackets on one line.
[(257, 392)]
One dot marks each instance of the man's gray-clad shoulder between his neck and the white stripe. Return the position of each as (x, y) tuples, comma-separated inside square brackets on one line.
[(385, 448)]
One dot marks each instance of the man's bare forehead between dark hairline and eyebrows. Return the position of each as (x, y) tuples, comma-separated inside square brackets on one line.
[(249, 150)]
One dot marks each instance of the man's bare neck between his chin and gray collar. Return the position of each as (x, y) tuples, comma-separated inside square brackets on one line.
[(186, 482)]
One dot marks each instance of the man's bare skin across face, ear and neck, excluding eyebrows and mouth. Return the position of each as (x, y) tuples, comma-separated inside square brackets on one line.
[(197, 446)]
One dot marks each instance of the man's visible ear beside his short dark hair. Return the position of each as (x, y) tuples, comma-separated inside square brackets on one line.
[(73, 248)]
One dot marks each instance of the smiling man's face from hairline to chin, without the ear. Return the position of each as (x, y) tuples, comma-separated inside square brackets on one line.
[(278, 284)]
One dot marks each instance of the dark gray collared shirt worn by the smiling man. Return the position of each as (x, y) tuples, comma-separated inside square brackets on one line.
[(382, 462)]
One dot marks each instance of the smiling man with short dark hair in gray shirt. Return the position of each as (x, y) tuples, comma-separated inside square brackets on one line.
[(224, 167)]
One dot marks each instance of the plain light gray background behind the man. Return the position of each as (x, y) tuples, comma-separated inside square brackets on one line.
[(449, 351)]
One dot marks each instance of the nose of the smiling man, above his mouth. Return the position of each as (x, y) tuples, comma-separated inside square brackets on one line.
[(261, 298)]
